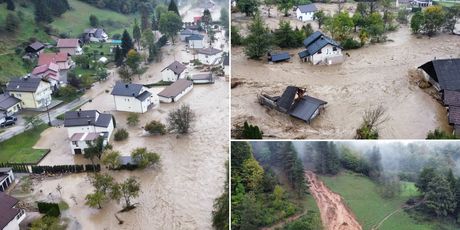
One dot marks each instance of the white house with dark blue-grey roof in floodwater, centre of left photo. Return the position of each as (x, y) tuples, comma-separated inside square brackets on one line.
[(133, 98)]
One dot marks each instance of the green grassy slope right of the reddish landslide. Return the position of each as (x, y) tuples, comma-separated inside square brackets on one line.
[(370, 208)]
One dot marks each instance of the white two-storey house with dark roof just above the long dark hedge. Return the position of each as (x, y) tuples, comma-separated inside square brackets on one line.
[(87, 125)]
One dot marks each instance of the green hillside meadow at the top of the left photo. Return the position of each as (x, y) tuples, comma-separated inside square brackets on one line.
[(75, 21)]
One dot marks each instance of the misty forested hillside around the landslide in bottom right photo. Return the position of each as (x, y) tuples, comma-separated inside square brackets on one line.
[(420, 179)]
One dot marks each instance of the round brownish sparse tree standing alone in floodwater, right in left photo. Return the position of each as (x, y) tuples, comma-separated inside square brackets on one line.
[(179, 120)]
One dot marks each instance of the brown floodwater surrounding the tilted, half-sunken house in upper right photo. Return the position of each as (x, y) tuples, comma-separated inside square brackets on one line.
[(374, 75)]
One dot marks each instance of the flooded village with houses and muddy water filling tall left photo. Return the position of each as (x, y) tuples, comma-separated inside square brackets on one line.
[(182, 72)]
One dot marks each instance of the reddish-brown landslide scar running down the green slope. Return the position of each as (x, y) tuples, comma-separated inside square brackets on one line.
[(335, 215)]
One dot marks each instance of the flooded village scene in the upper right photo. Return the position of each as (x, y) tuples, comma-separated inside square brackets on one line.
[(384, 74)]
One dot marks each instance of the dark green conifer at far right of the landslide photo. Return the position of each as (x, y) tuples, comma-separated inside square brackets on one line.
[(439, 197)]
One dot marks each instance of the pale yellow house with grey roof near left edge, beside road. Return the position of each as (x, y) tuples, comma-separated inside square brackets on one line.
[(34, 93)]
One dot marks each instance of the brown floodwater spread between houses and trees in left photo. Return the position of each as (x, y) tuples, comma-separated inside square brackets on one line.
[(178, 193)]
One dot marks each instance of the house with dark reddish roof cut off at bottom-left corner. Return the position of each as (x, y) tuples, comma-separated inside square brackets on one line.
[(10, 215)]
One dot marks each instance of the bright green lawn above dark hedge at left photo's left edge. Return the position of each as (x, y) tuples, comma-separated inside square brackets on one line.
[(19, 148)]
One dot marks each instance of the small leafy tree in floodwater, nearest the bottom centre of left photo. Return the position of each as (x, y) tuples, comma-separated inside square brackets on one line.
[(127, 190)]
